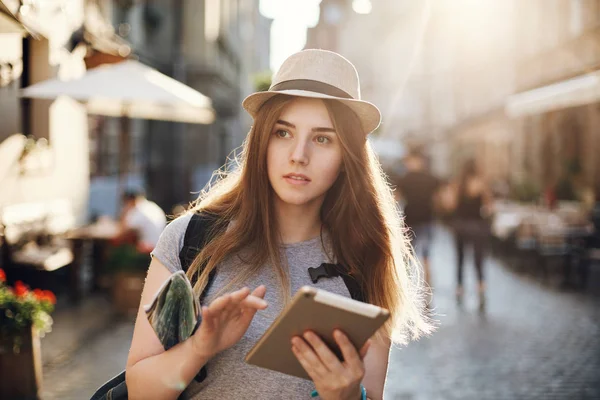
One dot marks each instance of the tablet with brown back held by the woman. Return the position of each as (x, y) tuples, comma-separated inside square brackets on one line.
[(321, 312)]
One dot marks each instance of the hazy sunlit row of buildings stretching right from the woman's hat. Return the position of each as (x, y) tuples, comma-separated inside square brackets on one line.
[(460, 78)]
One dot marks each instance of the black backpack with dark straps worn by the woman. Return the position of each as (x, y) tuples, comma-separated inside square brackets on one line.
[(197, 235)]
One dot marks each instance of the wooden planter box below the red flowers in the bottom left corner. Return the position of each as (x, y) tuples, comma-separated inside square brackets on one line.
[(21, 368)]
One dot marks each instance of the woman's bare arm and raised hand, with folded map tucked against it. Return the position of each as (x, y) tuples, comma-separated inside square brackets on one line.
[(155, 373)]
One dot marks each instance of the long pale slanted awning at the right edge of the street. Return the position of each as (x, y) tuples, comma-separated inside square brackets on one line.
[(578, 91)]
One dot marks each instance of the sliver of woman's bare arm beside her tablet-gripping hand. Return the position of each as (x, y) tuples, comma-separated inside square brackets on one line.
[(376, 365)]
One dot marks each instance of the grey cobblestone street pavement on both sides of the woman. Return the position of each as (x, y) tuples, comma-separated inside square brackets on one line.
[(533, 342)]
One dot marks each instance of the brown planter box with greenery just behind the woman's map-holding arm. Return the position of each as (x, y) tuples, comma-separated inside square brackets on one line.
[(127, 292)]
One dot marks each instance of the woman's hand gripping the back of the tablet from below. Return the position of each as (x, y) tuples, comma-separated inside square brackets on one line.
[(333, 379)]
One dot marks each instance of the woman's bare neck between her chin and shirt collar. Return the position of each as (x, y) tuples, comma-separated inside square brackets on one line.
[(298, 223)]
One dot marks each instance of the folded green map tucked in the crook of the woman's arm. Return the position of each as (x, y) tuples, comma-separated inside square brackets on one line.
[(174, 312)]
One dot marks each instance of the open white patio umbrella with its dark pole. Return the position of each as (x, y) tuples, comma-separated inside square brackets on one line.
[(129, 89)]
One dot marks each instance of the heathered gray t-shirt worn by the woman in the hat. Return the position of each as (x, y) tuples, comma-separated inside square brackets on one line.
[(229, 377)]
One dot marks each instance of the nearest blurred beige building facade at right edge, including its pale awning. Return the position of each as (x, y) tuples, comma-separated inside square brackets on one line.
[(556, 108)]
